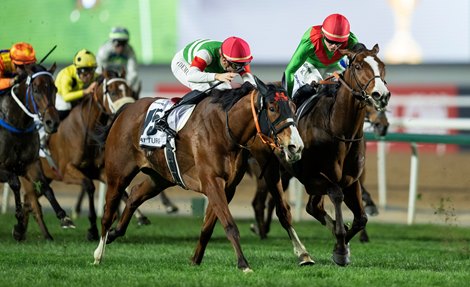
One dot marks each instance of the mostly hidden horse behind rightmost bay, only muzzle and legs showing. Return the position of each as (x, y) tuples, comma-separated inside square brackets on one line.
[(263, 204)]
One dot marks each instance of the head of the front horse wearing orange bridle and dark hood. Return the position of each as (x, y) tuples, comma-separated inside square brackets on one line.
[(276, 114)]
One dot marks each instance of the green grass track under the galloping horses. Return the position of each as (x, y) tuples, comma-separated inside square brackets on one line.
[(158, 255)]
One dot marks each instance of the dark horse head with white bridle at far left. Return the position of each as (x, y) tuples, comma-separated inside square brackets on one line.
[(39, 92)]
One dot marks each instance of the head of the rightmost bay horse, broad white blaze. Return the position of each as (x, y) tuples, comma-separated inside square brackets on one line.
[(366, 74)]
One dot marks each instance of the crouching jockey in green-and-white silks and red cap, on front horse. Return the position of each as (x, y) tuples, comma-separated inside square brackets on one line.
[(203, 63)]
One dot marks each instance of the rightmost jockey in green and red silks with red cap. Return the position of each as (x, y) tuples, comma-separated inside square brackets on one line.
[(317, 55)]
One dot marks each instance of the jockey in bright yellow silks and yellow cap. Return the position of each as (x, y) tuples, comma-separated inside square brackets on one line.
[(75, 81)]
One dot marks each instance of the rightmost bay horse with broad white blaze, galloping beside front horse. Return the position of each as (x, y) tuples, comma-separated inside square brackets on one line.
[(334, 154)]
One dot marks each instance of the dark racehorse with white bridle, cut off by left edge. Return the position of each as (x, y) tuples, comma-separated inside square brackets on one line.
[(23, 109)]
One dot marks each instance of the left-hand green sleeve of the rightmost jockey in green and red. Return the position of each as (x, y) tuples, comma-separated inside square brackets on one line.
[(301, 54)]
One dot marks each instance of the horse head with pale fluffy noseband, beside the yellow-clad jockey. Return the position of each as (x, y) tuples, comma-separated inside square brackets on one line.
[(113, 92)]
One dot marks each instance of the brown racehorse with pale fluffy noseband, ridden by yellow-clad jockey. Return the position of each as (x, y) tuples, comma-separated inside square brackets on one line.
[(75, 156)]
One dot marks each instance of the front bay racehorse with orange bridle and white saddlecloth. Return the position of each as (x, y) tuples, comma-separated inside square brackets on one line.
[(212, 153)]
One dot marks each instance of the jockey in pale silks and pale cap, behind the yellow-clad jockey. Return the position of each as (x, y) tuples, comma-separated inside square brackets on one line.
[(117, 54)]
